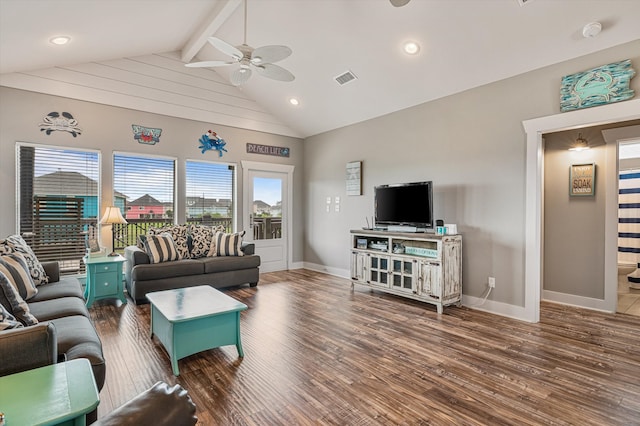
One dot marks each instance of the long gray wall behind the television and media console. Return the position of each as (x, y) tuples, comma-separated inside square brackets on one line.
[(472, 145)]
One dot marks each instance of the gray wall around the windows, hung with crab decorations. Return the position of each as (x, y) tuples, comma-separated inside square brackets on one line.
[(108, 129)]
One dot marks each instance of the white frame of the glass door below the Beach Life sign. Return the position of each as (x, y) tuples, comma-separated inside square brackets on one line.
[(278, 168)]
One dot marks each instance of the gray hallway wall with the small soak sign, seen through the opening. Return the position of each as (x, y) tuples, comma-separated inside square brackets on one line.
[(573, 226)]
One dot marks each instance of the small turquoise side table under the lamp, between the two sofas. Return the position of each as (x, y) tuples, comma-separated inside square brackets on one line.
[(104, 279)]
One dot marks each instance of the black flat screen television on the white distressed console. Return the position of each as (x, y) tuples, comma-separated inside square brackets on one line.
[(405, 205)]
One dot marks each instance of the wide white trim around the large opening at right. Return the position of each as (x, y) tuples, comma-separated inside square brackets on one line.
[(535, 128)]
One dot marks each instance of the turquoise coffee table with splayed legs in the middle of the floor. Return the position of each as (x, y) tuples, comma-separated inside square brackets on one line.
[(194, 319)]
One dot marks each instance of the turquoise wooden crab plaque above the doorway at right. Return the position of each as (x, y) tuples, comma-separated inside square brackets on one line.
[(598, 86)]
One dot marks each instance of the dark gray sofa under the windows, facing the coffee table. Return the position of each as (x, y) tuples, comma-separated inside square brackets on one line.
[(143, 277)]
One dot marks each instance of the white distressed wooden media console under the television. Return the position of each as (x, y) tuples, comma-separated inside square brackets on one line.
[(425, 267)]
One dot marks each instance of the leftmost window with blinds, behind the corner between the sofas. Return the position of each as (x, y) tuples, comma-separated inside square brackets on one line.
[(58, 208)]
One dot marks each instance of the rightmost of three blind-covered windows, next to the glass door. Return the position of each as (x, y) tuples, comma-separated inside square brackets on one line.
[(210, 193)]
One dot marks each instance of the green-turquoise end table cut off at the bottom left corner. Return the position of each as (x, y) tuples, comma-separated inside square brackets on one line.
[(58, 394)]
